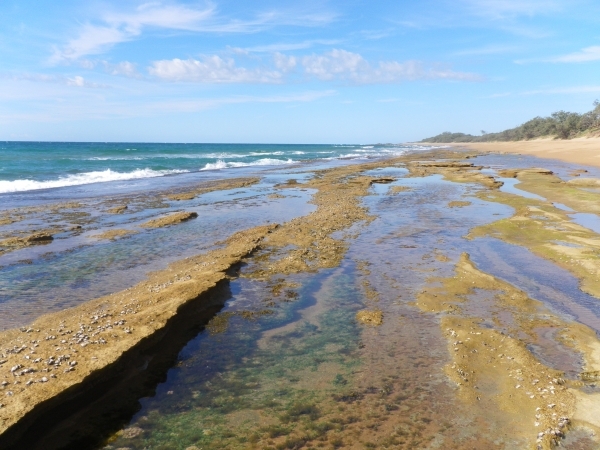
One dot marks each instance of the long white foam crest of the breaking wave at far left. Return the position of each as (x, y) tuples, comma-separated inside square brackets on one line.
[(83, 178)]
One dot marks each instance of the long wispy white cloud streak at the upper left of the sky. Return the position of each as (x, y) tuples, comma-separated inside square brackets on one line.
[(112, 28)]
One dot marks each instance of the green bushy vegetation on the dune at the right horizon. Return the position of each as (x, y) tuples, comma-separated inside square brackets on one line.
[(559, 125)]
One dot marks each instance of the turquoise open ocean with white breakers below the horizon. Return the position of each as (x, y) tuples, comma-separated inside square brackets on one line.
[(26, 166)]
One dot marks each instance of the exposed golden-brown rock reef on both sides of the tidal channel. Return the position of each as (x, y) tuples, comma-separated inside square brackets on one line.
[(101, 340)]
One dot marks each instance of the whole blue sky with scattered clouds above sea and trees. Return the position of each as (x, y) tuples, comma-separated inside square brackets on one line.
[(306, 71)]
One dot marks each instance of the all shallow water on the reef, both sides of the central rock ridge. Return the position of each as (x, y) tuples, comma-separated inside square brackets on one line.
[(285, 364)]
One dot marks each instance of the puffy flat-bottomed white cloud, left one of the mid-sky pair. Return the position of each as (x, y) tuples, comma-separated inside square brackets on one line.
[(211, 69)]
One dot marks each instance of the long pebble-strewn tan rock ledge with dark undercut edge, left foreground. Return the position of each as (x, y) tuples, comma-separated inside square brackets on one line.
[(61, 360)]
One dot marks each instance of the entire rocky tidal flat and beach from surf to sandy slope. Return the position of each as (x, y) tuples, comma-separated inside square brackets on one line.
[(426, 297)]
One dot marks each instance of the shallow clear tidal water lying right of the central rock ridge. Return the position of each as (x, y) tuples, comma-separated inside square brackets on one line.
[(309, 373)]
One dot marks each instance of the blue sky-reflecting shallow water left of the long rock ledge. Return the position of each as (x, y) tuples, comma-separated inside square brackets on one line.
[(40, 280)]
